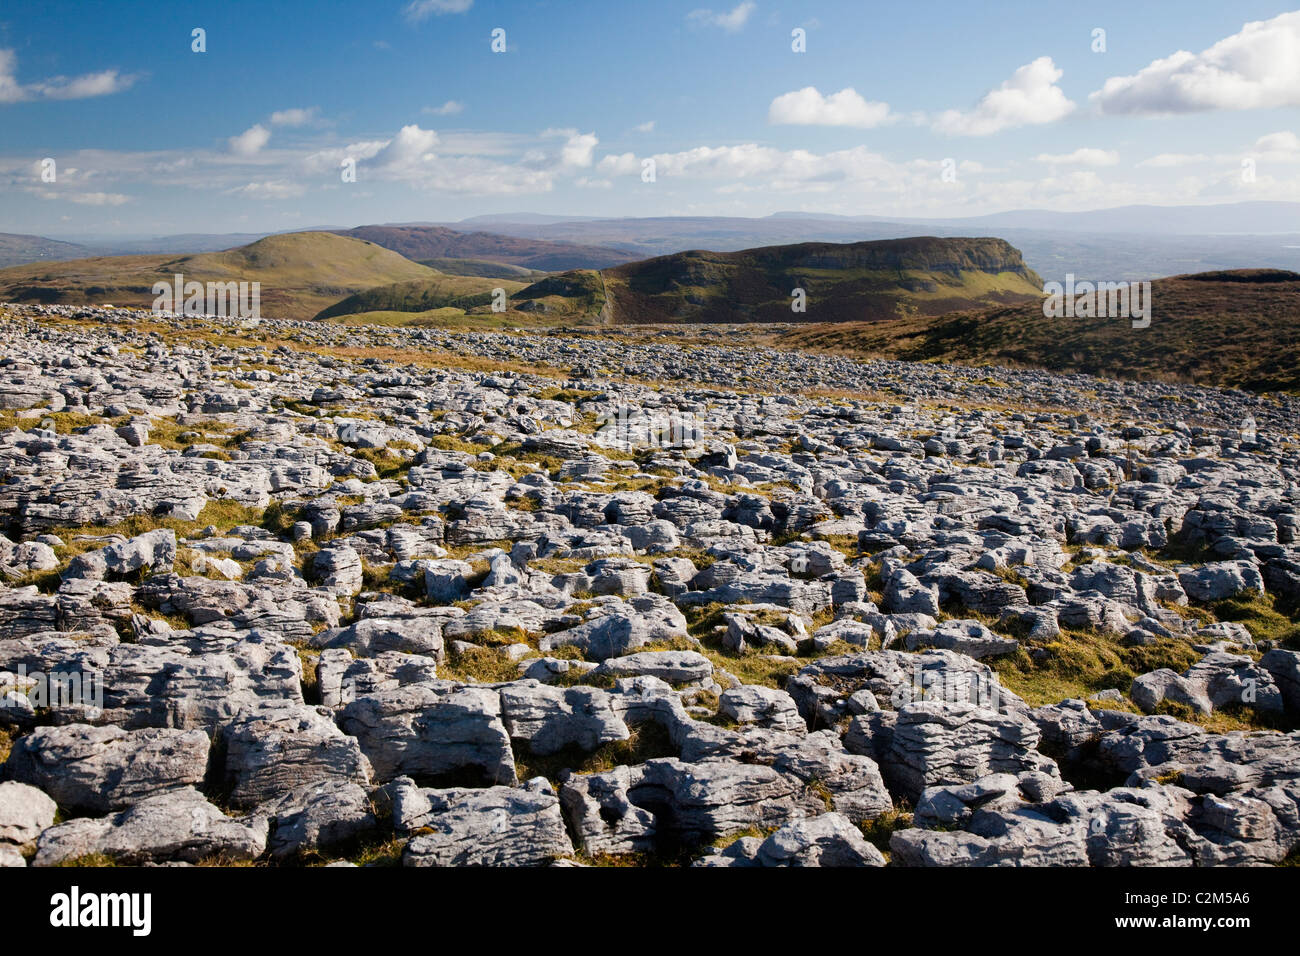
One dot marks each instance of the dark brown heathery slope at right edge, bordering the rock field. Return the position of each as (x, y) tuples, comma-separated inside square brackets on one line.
[(1236, 330)]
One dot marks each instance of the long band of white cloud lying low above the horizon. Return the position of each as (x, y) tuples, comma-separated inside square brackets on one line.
[(738, 179)]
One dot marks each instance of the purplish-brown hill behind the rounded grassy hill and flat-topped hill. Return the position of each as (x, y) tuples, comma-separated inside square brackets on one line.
[(441, 243)]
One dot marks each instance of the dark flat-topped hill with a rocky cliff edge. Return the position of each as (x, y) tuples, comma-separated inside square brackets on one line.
[(842, 283)]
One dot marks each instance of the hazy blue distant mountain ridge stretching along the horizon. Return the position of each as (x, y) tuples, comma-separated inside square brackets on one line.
[(1133, 243)]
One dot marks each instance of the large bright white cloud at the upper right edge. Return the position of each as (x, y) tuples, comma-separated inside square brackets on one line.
[(1258, 68)]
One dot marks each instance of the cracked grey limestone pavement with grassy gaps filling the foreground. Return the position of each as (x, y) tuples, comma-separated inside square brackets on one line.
[(305, 592)]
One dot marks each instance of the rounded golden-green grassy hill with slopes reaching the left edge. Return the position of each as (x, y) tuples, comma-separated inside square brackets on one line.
[(301, 274)]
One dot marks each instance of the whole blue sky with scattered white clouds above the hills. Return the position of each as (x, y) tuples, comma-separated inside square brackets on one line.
[(905, 110)]
